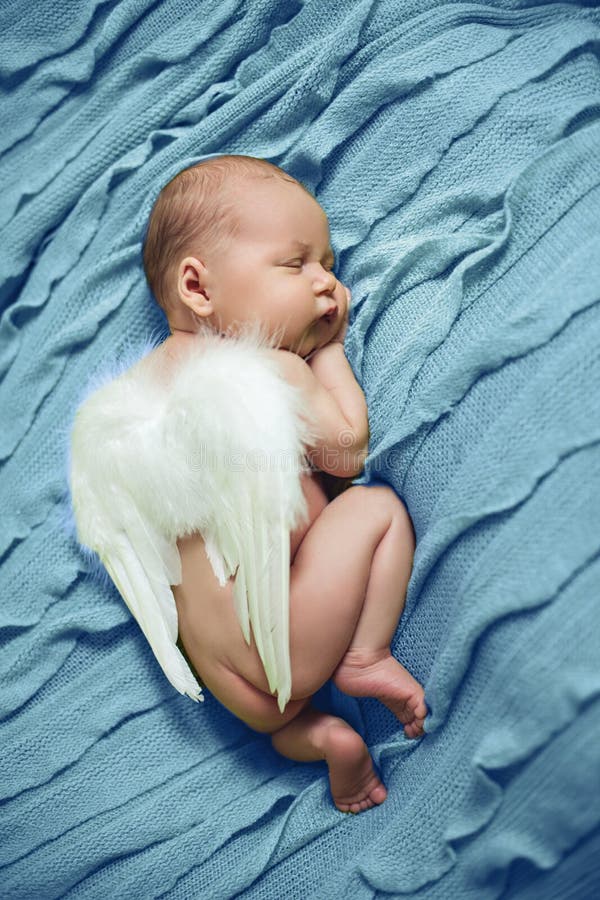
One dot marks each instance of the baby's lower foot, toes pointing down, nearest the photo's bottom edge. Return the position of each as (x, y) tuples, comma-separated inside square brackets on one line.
[(353, 781)]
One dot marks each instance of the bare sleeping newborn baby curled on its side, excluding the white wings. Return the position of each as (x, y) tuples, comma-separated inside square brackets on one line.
[(232, 240)]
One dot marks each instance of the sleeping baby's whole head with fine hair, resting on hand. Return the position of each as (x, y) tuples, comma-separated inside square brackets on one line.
[(236, 239)]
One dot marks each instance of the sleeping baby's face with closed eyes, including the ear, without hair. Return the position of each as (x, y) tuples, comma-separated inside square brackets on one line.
[(277, 270)]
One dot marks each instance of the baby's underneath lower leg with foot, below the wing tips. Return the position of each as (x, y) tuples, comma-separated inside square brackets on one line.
[(314, 735)]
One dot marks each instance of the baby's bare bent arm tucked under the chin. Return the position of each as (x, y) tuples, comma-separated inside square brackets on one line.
[(338, 407)]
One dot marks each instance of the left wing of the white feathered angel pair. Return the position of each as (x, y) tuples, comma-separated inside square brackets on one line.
[(105, 497)]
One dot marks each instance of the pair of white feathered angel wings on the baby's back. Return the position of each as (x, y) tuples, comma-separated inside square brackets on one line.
[(218, 450)]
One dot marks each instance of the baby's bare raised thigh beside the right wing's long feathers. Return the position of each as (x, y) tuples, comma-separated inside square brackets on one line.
[(328, 581)]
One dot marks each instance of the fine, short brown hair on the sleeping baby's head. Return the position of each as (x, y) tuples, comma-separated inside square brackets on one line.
[(195, 212)]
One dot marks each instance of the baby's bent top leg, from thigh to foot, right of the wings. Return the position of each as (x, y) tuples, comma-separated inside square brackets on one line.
[(352, 570)]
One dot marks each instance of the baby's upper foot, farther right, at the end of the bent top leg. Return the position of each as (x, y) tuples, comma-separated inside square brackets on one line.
[(367, 673)]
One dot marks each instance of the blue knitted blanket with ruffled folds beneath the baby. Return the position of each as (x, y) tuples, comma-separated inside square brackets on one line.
[(455, 147)]
